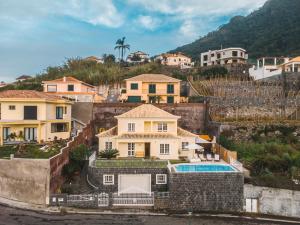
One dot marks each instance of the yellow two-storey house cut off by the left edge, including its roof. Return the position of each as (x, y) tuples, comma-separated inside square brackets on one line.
[(33, 116)]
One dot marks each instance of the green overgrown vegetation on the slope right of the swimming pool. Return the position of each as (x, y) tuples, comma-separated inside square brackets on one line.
[(273, 160)]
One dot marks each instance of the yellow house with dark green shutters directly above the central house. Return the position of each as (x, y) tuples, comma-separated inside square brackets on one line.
[(152, 88)]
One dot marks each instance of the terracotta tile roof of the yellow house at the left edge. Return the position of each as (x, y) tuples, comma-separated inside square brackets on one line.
[(28, 94)]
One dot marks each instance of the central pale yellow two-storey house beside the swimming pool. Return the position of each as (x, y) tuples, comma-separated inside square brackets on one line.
[(147, 132)]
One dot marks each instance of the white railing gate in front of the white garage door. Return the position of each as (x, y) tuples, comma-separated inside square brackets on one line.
[(134, 199)]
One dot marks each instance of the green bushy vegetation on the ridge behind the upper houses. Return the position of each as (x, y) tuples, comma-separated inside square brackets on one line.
[(94, 73)]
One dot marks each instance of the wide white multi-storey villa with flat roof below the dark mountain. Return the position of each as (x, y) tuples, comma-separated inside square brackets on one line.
[(224, 56)]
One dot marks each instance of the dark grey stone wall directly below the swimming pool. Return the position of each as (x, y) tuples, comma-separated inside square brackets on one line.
[(206, 192)]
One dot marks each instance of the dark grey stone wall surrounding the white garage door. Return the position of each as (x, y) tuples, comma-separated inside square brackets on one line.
[(96, 177)]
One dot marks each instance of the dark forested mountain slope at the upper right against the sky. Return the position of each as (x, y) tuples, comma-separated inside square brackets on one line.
[(272, 30)]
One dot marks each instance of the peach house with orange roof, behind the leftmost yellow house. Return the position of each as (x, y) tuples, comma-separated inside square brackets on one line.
[(73, 89)]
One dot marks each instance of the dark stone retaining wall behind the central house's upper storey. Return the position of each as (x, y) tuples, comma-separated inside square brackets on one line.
[(193, 115)]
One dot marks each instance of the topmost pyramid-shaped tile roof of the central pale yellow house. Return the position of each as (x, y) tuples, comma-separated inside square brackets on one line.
[(147, 111)]
